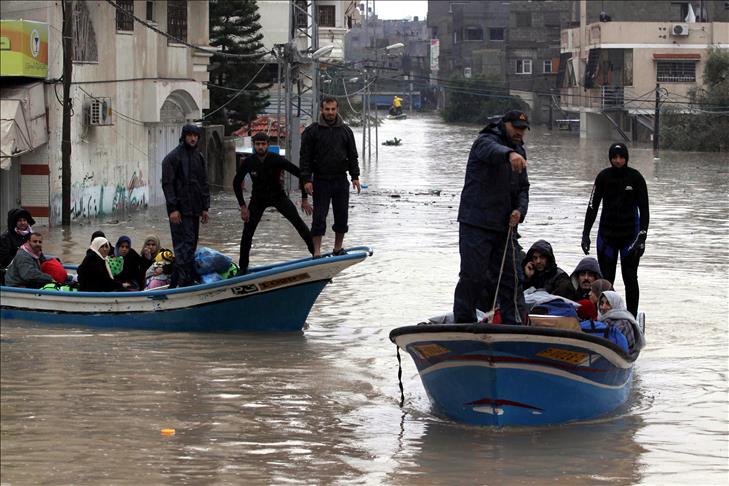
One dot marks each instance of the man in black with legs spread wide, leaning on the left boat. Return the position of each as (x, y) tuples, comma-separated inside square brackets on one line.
[(265, 169)]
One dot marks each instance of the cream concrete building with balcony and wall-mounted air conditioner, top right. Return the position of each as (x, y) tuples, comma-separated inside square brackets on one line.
[(609, 70)]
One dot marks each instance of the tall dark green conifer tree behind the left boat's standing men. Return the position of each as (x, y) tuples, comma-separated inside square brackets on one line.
[(235, 28)]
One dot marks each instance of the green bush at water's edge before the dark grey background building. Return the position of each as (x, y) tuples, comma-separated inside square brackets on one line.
[(476, 100)]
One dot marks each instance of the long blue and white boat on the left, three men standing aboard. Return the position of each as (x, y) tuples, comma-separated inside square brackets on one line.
[(274, 297)]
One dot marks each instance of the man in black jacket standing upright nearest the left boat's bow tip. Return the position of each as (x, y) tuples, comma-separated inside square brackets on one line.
[(328, 152)]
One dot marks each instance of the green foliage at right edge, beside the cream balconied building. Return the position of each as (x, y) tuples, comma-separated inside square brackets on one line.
[(703, 129)]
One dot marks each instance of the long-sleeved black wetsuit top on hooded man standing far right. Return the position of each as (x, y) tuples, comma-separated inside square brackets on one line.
[(624, 198)]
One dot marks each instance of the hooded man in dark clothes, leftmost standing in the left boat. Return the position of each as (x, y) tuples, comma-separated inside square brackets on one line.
[(185, 185)]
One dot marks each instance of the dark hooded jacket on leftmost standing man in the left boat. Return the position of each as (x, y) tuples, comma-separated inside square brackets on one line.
[(185, 179)]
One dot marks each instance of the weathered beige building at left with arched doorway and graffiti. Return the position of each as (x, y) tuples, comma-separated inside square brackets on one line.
[(132, 90)]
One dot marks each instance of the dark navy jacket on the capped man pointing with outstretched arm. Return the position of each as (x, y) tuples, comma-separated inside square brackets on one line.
[(491, 190)]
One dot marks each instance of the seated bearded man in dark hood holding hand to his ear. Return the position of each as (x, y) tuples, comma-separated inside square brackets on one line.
[(541, 271)]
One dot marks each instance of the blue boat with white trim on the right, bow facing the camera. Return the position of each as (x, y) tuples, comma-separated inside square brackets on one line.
[(485, 374)]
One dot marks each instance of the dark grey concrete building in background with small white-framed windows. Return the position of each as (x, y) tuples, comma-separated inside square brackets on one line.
[(516, 44)]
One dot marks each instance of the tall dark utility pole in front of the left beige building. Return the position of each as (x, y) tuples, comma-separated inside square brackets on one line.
[(67, 33)]
